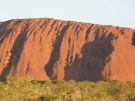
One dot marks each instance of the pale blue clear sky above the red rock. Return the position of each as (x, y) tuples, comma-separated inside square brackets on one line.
[(114, 12)]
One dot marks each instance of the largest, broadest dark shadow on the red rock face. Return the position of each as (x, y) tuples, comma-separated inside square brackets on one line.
[(94, 57)]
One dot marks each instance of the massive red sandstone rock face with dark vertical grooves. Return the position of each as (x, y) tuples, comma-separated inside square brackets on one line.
[(55, 49)]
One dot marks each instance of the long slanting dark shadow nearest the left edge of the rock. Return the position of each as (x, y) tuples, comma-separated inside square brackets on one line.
[(15, 53)]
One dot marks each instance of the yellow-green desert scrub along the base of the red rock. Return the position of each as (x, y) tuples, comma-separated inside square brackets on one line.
[(20, 89)]
